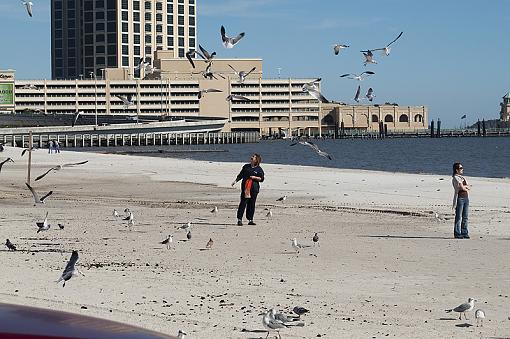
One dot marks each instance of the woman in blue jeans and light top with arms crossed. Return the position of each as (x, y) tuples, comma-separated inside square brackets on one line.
[(460, 202)]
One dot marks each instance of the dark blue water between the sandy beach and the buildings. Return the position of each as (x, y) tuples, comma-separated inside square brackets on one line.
[(483, 157)]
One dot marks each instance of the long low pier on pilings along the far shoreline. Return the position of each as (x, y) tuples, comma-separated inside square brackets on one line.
[(132, 139)]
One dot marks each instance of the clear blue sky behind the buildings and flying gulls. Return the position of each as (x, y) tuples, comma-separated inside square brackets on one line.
[(451, 58)]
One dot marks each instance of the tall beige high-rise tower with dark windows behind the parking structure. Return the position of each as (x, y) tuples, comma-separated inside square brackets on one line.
[(88, 36)]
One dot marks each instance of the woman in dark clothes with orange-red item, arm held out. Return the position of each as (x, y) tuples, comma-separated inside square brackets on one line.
[(251, 175)]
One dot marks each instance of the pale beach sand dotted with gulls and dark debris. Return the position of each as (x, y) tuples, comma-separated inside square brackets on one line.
[(386, 267)]
